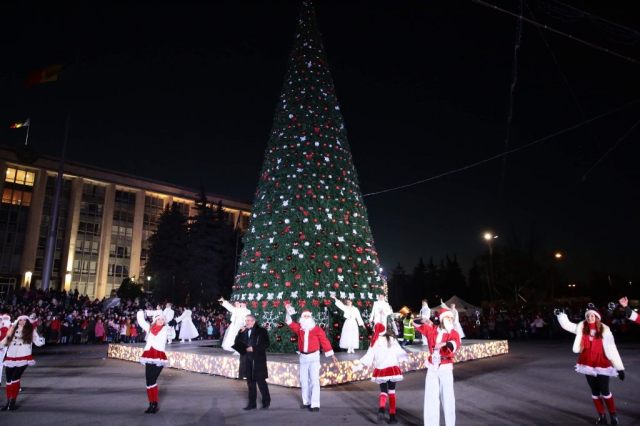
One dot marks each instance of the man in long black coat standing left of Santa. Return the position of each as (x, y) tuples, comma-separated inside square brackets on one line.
[(252, 341)]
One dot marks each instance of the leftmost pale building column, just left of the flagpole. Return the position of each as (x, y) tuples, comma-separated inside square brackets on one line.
[(33, 226)]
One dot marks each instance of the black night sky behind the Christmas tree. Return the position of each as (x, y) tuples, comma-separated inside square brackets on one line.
[(184, 92)]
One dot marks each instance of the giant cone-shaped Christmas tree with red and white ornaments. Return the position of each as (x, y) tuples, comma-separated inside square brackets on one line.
[(308, 235)]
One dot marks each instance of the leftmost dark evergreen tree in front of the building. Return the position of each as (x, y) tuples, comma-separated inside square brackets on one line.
[(168, 256)]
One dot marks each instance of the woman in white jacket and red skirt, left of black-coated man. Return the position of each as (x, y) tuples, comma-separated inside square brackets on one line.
[(153, 357)]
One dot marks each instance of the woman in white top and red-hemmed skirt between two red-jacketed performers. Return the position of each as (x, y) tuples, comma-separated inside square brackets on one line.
[(386, 355)]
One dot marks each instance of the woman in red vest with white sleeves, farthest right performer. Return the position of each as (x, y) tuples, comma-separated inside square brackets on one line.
[(599, 359)]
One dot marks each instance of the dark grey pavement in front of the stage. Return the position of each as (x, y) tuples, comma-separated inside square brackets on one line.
[(534, 385)]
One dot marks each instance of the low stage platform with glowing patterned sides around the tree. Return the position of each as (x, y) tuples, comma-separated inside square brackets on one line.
[(202, 357)]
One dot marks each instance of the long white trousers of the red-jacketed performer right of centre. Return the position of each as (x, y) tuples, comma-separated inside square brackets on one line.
[(439, 387)]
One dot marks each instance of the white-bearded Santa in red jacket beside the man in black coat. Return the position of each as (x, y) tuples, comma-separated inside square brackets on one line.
[(310, 339)]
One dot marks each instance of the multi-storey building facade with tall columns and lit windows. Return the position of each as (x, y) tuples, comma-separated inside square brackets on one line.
[(104, 223)]
